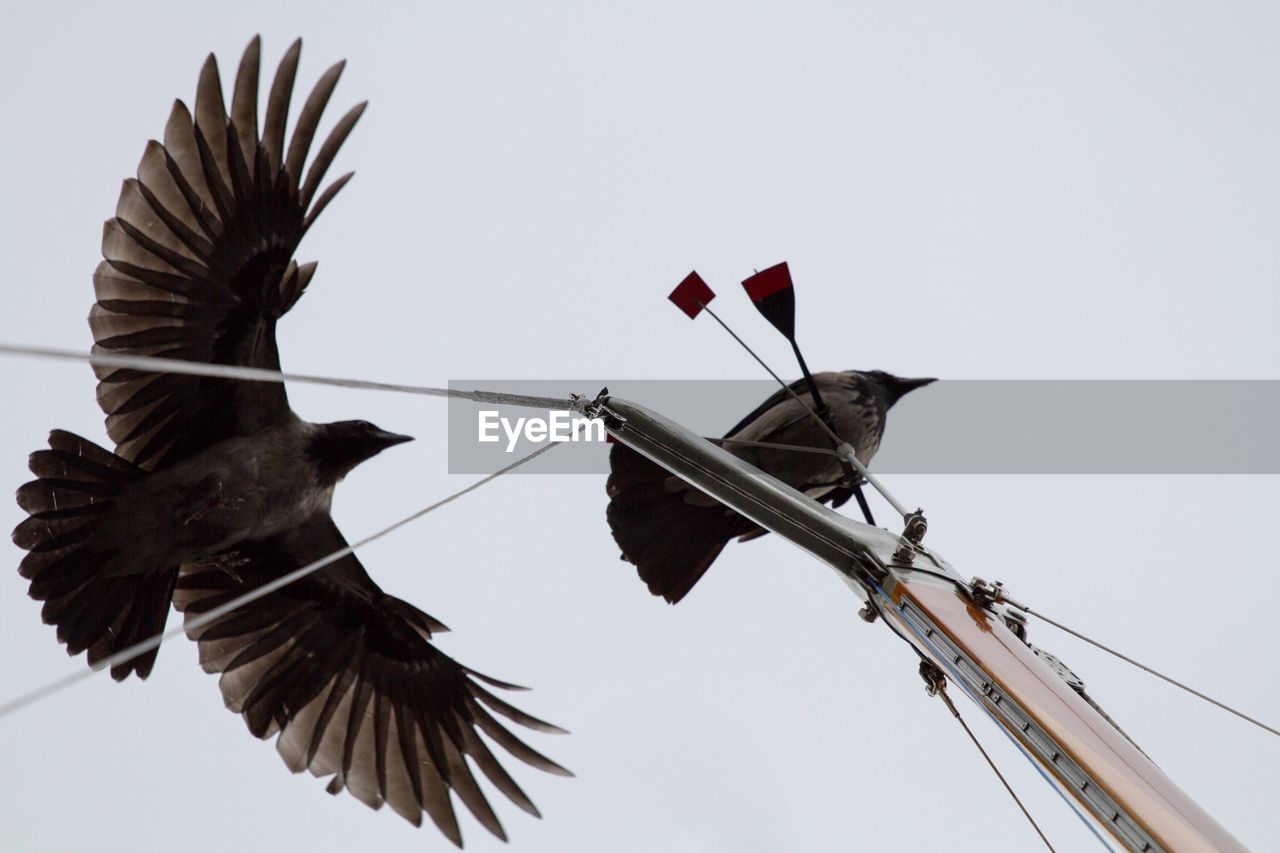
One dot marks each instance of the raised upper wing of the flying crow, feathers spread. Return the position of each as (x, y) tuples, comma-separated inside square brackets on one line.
[(199, 262)]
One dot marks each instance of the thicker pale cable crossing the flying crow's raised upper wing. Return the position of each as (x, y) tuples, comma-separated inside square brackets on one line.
[(153, 364)]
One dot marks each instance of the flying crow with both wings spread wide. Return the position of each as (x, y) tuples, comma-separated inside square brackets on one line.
[(217, 487)]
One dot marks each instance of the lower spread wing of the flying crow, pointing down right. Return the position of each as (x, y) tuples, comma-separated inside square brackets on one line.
[(349, 678)]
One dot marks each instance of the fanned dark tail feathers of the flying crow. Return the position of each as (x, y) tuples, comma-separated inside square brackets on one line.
[(76, 486)]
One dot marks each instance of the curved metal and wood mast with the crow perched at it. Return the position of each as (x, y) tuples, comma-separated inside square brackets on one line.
[(959, 628)]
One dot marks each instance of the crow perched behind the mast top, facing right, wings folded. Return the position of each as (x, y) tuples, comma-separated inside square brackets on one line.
[(673, 532)]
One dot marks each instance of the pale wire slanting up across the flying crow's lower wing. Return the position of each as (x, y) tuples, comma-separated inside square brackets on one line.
[(254, 595)]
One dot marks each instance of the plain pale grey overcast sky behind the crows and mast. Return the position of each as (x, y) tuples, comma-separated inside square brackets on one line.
[(991, 193)]
